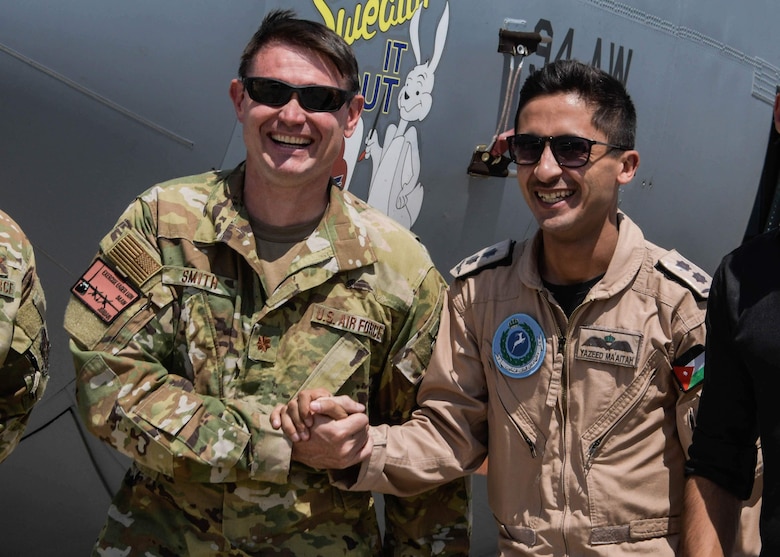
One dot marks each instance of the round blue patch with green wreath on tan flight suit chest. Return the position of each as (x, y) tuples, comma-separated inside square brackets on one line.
[(519, 346)]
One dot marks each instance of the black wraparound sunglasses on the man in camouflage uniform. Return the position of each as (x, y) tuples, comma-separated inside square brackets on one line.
[(315, 98)]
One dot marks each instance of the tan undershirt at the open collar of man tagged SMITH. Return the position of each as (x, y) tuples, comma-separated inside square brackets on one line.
[(277, 246)]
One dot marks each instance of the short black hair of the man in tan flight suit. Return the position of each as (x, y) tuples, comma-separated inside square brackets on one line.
[(614, 113)]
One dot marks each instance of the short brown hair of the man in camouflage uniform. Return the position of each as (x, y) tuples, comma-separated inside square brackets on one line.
[(283, 27)]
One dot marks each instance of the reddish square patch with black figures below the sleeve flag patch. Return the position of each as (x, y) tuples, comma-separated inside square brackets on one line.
[(103, 291)]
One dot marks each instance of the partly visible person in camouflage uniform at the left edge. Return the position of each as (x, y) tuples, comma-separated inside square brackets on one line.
[(24, 344)]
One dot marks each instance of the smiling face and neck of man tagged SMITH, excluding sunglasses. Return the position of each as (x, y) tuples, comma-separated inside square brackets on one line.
[(288, 146)]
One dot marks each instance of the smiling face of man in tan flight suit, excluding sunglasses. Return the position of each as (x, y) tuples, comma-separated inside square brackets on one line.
[(572, 204)]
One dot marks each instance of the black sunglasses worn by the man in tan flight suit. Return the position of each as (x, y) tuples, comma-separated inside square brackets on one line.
[(569, 151)]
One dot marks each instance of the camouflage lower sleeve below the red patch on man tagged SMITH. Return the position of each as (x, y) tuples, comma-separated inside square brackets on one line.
[(129, 400)]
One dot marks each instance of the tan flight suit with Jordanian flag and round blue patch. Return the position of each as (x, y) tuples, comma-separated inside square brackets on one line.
[(587, 430)]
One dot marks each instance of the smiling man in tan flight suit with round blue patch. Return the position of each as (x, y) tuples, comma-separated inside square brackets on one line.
[(573, 360)]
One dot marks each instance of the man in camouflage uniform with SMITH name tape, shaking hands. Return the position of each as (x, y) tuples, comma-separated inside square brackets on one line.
[(217, 296)]
